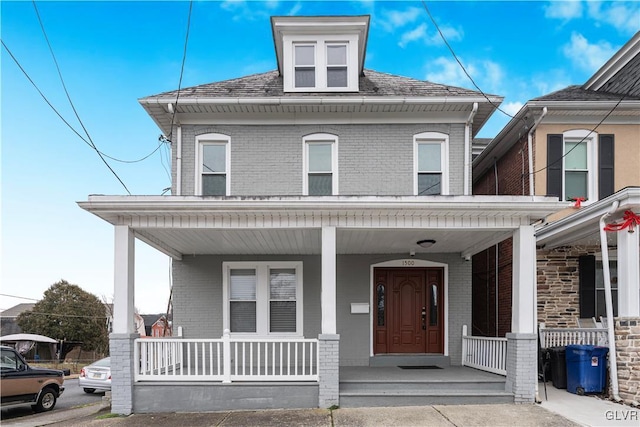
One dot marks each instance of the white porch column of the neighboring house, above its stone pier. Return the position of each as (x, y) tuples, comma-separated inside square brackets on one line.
[(628, 273)]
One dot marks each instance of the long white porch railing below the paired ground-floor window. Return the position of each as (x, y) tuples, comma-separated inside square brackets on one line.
[(226, 359)]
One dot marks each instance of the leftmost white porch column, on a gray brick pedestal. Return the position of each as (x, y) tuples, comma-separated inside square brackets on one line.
[(123, 296)]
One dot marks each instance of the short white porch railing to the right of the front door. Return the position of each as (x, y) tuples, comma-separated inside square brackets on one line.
[(484, 353)]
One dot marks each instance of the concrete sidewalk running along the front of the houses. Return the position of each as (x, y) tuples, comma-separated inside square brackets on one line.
[(560, 409)]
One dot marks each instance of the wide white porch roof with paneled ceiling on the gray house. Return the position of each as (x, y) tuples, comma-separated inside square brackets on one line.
[(194, 225)]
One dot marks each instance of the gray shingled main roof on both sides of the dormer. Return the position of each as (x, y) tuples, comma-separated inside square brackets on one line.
[(372, 83)]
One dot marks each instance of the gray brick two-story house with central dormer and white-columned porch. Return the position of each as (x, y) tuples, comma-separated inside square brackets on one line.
[(321, 218)]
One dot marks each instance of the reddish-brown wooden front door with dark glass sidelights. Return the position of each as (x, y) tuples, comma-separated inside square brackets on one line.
[(409, 315)]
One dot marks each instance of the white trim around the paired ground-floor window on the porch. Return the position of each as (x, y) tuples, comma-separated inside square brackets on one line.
[(262, 296)]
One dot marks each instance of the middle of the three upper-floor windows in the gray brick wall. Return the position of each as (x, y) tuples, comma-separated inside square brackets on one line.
[(320, 165)]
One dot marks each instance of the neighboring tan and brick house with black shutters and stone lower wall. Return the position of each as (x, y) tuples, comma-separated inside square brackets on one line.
[(582, 144)]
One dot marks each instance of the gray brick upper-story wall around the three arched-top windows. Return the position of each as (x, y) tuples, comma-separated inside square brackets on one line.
[(373, 159)]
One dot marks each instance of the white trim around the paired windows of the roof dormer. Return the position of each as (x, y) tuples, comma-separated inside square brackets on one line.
[(351, 41)]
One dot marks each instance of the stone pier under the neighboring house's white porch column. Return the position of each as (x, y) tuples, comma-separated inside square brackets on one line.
[(628, 357)]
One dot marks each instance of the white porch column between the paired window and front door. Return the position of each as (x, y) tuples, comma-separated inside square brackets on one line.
[(328, 293)]
